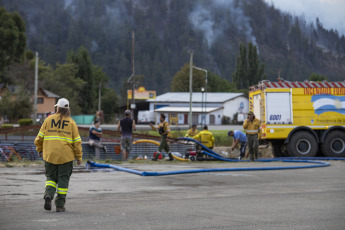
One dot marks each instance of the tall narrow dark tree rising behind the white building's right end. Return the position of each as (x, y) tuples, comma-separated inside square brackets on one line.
[(248, 71)]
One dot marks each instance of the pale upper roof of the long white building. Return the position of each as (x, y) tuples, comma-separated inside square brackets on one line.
[(196, 97)]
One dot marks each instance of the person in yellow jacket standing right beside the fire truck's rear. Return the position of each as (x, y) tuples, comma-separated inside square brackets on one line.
[(252, 127)]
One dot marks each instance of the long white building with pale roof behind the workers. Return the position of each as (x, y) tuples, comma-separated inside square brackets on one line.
[(176, 107)]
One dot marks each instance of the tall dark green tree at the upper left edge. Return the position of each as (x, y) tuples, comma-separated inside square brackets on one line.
[(12, 37)]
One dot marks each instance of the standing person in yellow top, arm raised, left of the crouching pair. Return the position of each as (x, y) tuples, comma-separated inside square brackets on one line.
[(164, 130)]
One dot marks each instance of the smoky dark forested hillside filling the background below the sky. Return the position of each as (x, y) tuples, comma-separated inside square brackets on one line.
[(166, 30)]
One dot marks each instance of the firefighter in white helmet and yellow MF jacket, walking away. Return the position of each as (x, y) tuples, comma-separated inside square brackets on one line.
[(59, 142)]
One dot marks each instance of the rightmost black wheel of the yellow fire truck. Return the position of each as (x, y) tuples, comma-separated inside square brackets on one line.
[(334, 145)]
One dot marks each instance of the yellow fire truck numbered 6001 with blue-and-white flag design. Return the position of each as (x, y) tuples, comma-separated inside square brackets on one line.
[(301, 119)]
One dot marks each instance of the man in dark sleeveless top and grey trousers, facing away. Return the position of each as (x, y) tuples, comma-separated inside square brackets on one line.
[(127, 126)]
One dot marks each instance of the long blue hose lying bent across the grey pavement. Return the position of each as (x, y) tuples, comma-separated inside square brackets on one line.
[(315, 164)]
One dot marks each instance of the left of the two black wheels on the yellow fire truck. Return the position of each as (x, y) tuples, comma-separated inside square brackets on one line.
[(302, 144)]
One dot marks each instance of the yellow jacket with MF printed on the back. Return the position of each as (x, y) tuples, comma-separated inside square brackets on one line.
[(59, 140)]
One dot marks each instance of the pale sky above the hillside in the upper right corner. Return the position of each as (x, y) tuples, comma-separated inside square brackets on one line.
[(330, 12)]
